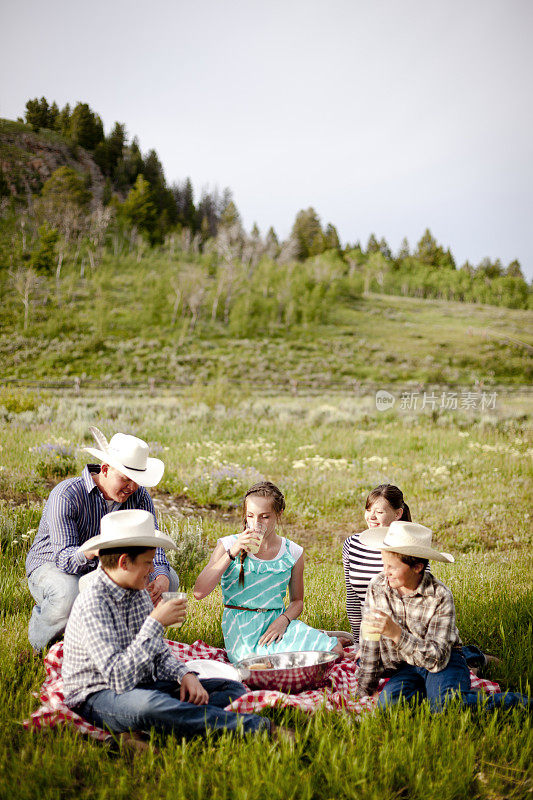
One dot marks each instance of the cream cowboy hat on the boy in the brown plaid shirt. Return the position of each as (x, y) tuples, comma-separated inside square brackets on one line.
[(407, 538)]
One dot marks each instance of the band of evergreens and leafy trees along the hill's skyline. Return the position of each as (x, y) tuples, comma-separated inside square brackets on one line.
[(138, 212)]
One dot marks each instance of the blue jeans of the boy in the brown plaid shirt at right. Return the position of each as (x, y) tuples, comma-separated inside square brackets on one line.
[(416, 683)]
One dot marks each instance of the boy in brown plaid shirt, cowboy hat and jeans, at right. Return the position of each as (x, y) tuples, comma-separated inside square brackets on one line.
[(409, 633)]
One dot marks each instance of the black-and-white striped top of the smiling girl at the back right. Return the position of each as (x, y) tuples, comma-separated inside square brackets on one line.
[(361, 564)]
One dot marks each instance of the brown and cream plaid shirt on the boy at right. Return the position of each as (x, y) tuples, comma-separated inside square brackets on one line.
[(427, 619)]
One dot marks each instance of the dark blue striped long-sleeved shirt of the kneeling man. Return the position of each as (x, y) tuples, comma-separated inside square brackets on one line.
[(71, 516)]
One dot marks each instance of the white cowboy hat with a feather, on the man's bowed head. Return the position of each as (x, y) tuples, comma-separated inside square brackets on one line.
[(129, 455)]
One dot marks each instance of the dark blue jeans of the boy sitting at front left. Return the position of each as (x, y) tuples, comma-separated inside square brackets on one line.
[(155, 705)]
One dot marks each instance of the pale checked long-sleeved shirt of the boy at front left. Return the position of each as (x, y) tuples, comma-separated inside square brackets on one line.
[(112, 642)]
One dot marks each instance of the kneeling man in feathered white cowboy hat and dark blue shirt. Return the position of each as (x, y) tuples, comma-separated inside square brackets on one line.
[(71, 516)]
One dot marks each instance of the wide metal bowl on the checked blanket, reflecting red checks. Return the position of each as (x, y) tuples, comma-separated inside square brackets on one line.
[(288, 672)]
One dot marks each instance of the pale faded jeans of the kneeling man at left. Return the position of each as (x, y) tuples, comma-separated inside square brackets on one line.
[(54, 593)]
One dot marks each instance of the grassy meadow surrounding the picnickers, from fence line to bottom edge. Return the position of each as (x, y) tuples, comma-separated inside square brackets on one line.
[(465, 473)]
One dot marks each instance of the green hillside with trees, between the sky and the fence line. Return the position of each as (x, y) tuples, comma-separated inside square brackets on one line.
[(109, 275)]
